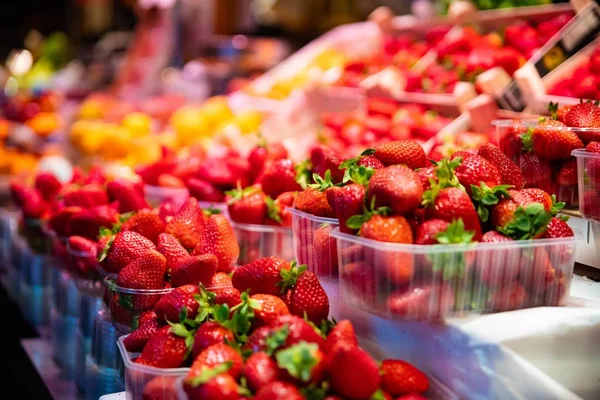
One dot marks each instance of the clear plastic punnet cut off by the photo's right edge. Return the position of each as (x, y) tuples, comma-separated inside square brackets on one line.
[(588, 178)]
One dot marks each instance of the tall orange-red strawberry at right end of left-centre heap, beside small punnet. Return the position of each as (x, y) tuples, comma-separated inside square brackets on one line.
[(219, 239)]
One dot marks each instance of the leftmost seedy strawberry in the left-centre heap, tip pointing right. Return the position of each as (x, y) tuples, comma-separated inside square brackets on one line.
[(122, 249)]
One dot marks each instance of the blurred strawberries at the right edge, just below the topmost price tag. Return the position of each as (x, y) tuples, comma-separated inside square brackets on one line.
[(583, 82)]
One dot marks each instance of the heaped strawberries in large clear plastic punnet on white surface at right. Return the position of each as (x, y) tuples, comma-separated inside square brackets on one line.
[(393, 194)]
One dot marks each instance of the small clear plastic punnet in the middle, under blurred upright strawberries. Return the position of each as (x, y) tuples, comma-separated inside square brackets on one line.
[(259, 241)]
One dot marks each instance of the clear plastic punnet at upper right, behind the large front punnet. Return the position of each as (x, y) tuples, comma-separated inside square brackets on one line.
[(539, 172)]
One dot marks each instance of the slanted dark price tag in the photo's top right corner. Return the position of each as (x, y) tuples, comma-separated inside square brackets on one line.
[(578, 33)]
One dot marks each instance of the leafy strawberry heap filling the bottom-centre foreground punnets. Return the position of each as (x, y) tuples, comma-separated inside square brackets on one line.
[(274, 344)]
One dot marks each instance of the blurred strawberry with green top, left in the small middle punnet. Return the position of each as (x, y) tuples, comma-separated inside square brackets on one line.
[(247, 206)]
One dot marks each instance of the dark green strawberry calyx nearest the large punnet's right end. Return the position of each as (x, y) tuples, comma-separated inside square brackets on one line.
[(528, 223)]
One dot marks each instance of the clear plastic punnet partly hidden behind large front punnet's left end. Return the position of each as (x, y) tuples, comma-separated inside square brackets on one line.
[(313, 244)]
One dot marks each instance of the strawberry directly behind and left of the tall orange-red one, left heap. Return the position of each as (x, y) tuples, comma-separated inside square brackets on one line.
[(188, 224)]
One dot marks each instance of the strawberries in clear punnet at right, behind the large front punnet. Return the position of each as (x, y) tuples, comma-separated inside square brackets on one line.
[(543, 150)]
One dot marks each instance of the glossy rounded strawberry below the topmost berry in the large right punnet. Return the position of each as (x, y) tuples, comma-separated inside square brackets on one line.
[(398, 187)]
